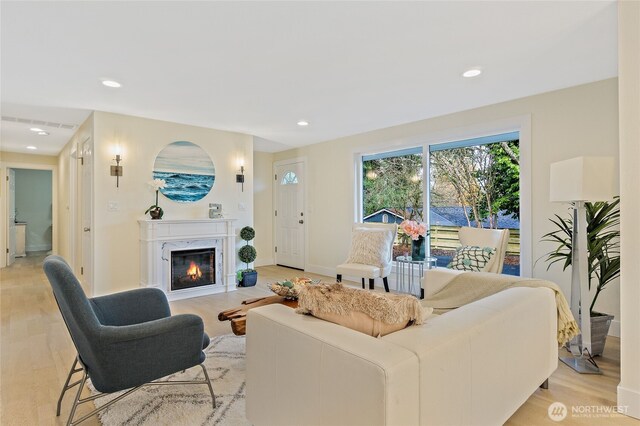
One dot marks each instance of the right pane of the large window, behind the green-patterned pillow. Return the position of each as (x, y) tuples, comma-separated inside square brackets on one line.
[(475, 182)]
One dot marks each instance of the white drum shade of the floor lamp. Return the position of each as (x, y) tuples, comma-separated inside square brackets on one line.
[(583, 179)]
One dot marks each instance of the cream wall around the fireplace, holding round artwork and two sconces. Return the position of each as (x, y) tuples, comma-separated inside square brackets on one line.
[(115, 233)]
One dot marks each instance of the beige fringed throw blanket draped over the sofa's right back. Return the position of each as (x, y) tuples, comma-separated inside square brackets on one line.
[(471, 286)]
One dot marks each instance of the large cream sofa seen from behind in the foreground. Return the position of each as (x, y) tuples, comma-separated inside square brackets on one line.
[(471, 366)]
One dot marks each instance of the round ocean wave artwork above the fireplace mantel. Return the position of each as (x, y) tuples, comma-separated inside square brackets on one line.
[(187, 169)]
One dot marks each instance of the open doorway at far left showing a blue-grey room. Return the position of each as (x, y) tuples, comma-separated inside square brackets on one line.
[(30, 212)]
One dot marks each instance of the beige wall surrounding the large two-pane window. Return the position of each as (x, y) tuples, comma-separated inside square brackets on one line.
[(581, 120)]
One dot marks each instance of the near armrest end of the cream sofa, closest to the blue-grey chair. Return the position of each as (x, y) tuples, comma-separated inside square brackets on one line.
[(302, 371)]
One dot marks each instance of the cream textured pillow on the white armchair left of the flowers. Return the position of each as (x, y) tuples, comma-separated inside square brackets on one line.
[(370, 247)]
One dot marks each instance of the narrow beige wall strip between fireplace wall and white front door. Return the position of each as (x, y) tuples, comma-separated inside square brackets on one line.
[(263, 203)]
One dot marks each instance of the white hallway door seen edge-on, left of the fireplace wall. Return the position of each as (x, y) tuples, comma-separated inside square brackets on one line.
[(86, 184)]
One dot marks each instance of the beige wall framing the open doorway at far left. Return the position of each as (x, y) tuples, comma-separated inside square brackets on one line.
[(25, 161)]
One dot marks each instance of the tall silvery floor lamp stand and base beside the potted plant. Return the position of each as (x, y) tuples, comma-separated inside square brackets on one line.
[(580, 346)]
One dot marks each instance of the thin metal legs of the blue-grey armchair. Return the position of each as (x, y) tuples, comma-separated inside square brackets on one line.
[(78, 400)]
